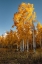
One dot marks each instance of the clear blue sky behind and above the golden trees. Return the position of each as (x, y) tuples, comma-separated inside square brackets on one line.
[(9, 7)]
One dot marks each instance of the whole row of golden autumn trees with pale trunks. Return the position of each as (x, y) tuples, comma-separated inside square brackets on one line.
[(27, 35)]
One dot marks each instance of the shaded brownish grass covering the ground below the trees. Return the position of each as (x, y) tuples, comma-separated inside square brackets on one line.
[(8, 56)]
